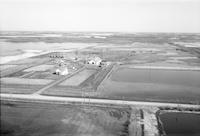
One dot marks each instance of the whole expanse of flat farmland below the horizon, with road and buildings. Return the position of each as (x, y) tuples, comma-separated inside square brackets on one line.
[(96, 84)]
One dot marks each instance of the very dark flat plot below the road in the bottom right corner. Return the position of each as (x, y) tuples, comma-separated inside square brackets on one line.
[(180, 123)]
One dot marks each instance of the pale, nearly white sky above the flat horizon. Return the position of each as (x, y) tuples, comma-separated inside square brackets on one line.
[(101, 15)]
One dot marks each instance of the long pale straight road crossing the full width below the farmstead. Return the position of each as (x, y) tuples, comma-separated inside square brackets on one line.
[(65, 100)]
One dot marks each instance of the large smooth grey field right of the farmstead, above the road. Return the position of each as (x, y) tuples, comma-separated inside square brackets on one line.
[(154, 84)]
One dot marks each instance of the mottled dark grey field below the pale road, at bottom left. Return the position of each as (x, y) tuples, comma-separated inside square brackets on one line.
[(53, 120)]
